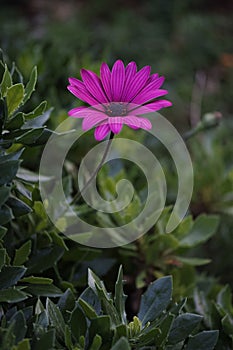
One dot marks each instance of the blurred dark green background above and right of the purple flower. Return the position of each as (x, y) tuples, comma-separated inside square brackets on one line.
[(190, 42)]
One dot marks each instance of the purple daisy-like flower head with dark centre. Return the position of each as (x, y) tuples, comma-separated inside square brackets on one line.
[(117, 97)]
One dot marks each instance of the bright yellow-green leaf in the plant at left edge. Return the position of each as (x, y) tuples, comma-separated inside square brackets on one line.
[(14, 97)]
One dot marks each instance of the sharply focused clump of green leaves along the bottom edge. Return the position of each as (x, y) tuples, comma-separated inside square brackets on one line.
[(160, 324)]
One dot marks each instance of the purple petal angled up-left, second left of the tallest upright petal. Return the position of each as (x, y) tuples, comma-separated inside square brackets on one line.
[(93, 84)]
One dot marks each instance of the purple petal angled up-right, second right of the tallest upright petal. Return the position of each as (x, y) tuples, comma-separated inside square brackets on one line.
[(137, 83)]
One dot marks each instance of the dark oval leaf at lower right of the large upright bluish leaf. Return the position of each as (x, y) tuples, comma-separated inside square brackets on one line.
[(182, 327)]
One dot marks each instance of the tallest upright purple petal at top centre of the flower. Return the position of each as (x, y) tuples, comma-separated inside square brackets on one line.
[(117, 80)]
